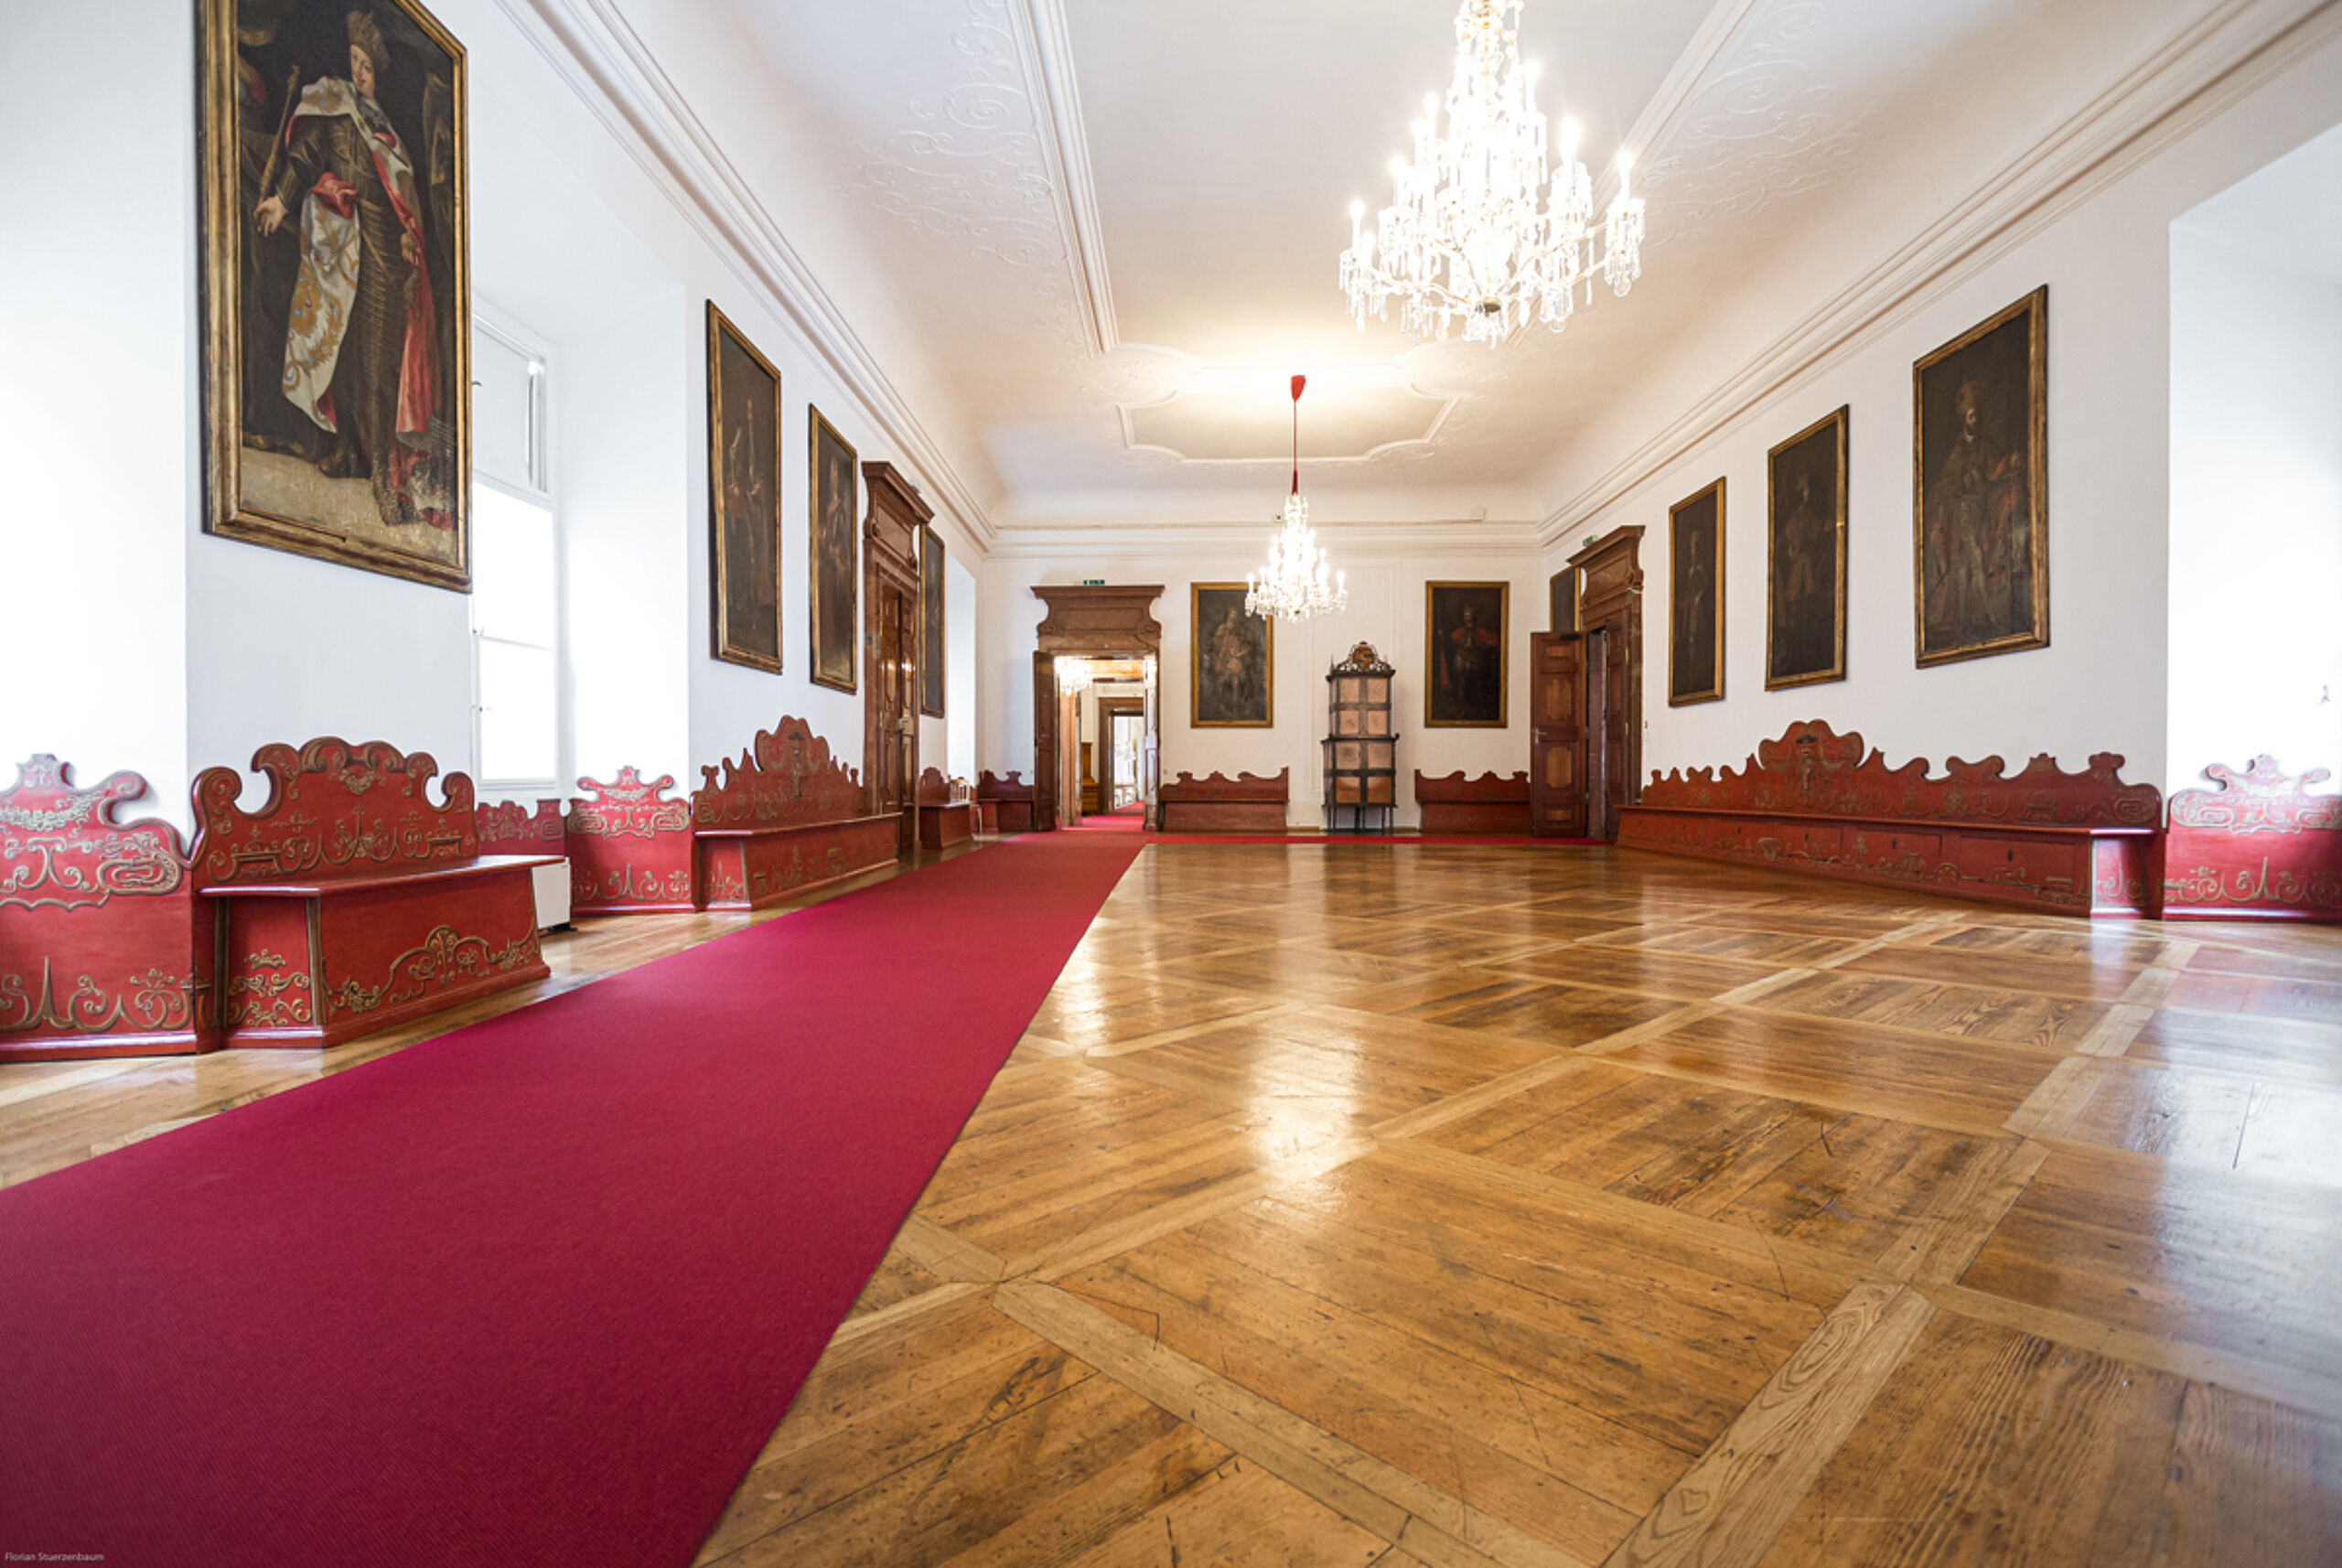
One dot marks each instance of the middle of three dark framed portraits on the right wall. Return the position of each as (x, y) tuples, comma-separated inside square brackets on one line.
[(1805, 556)]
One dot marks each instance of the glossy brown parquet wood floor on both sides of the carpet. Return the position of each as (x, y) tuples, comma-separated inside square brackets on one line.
[(1484, 1206)]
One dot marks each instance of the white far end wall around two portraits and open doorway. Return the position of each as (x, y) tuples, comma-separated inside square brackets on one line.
[(1385, 610)]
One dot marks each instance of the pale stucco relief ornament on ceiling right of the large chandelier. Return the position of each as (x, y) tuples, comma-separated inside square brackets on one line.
[(1758, 130)]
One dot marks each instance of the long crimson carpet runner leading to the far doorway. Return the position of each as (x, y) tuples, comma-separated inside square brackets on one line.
[(537, 1291)]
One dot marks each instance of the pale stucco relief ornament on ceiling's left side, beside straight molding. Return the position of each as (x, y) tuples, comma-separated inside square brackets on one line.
[(971, 167)]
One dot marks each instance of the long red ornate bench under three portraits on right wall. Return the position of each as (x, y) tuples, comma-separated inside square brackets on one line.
[(2076, 844)]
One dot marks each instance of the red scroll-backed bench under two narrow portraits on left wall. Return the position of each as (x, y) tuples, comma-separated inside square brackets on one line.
[(781, 820)]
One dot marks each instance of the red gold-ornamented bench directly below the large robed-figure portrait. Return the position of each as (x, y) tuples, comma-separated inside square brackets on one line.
[(350, 902)]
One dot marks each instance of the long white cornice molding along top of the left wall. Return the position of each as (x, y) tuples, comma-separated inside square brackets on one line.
[(619, 81)]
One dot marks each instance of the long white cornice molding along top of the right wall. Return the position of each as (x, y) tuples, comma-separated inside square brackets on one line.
[(2193, 78)]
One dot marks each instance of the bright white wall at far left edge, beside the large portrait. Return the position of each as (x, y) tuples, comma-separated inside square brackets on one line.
[(97, 397)]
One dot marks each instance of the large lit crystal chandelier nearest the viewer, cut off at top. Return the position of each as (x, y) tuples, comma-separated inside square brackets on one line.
[(1474, 226)]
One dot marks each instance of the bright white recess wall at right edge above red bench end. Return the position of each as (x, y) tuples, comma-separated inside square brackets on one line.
[(2257, 511)]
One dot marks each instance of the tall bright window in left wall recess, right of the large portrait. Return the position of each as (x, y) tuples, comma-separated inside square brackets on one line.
[(514, 614)]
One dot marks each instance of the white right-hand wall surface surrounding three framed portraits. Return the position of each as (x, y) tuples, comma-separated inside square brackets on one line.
[(2102, 682)]
